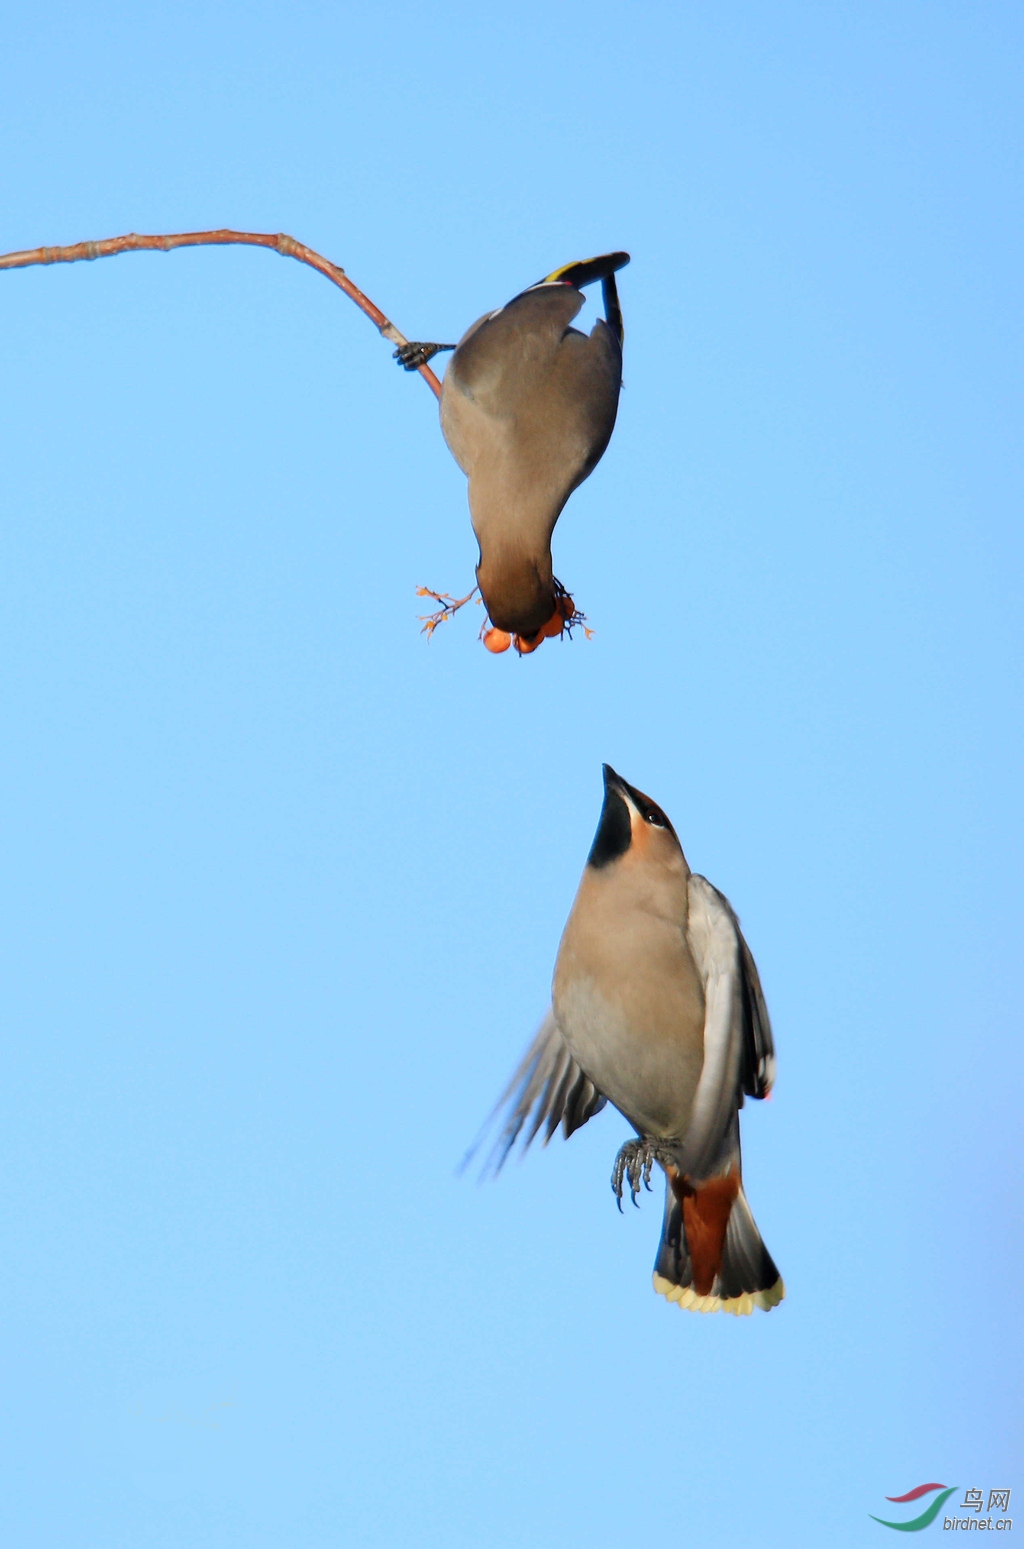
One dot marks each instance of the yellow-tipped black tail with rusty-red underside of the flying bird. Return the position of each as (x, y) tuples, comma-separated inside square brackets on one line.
[(712, 1257)]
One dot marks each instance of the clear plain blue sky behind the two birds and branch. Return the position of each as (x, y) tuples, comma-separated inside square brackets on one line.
[(284, 884)]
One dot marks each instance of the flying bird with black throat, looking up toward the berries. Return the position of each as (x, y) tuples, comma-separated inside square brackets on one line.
[(658, 1009)]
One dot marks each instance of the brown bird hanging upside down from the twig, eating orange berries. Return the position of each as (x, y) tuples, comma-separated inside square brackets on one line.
[(527, 408)]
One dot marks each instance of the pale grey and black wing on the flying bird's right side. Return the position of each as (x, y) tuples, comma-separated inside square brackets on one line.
[(738, 1051)]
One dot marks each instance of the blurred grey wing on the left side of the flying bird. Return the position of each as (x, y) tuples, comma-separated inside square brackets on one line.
[(548, 1090)]
